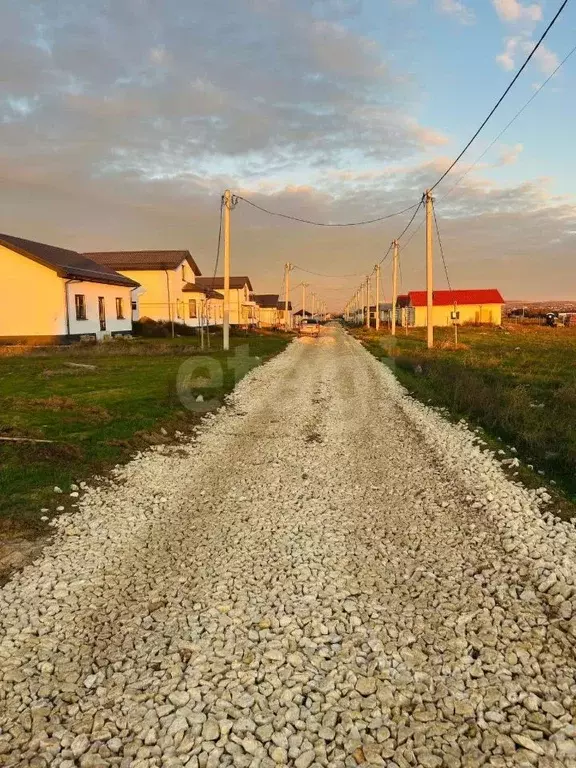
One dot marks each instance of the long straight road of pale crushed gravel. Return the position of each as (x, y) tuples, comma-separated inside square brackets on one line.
[(330, 574)]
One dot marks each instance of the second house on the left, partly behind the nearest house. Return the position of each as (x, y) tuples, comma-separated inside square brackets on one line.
[(164, 277)]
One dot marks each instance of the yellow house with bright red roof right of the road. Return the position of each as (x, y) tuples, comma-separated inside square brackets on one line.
[(480, 305)]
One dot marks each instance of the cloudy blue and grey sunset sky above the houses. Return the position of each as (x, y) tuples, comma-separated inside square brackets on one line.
[(123, 121)]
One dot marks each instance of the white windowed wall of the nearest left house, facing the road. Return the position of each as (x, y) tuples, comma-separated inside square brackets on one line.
[(92, 323)]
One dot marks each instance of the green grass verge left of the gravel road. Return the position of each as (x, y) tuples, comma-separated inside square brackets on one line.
[(99, 417)]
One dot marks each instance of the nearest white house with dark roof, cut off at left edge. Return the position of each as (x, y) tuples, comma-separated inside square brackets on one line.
[(51, 294)]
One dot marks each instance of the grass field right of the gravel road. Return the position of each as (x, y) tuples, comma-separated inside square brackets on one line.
[(519, 383)]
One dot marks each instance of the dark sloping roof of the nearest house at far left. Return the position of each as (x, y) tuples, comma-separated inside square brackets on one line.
[(68, 264)]
